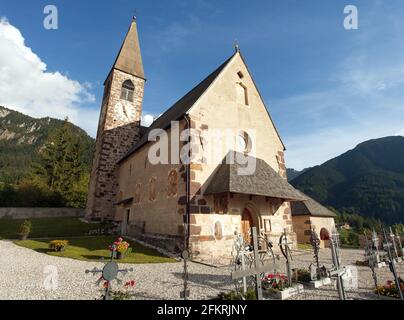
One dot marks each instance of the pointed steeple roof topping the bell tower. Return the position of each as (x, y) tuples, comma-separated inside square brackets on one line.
[(129, 58)]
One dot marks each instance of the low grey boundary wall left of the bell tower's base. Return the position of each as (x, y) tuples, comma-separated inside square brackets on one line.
[(36, 213)]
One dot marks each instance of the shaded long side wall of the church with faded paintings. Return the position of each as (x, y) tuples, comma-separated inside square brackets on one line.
[(158, 192)]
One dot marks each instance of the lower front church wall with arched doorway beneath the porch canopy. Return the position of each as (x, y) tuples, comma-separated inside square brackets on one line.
[(213, 234)]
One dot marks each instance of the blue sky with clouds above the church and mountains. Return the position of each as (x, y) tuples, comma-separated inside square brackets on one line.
[(327, 88)]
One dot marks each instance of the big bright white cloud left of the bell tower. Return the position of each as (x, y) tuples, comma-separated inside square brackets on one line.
[(27, 86)]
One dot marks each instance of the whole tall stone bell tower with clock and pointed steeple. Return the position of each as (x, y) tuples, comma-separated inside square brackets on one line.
[(118, 127)]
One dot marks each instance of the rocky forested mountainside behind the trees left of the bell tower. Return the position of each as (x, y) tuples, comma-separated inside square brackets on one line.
[(21, 137)]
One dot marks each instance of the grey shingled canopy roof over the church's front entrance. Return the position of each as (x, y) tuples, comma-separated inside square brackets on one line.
[(263, 182)]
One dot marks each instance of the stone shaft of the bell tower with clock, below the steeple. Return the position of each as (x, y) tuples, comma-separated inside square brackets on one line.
[(118, 130)]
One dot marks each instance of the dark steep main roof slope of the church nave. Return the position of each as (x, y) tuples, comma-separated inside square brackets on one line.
[(181, 107)]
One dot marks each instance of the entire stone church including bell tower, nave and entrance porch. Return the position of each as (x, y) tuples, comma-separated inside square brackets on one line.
[(199, 204)]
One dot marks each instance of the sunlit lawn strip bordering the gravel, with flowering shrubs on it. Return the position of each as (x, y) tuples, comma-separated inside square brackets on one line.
[(96, 248)]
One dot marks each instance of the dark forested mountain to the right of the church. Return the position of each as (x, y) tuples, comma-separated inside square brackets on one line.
[(368, 180)]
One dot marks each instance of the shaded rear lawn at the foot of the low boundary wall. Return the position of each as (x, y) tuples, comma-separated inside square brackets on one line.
[(48, 228)]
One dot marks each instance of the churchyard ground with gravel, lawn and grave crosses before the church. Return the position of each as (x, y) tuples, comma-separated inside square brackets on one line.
[(105, 266)]
